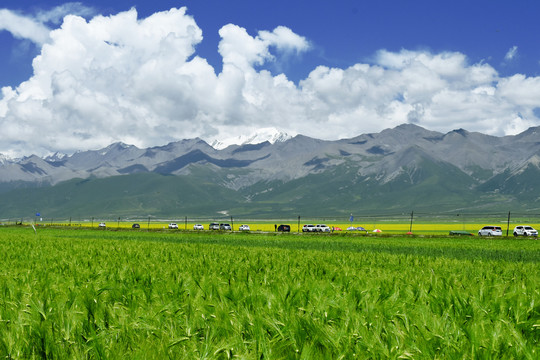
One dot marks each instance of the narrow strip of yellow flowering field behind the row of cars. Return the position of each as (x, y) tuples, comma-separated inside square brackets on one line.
[(412, 222)]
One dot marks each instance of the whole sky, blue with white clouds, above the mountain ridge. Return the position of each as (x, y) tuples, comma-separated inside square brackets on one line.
[(323, 69)]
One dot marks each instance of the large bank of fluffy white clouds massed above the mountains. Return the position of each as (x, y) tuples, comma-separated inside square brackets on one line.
[(140, 81)]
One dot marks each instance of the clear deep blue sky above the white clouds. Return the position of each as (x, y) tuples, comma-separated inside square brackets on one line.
[(342, 33)]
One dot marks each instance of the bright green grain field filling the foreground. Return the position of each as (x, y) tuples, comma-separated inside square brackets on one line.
[(83, 294)]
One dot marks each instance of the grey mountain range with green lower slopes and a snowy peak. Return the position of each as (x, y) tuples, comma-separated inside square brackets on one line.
[(397, 170)]
